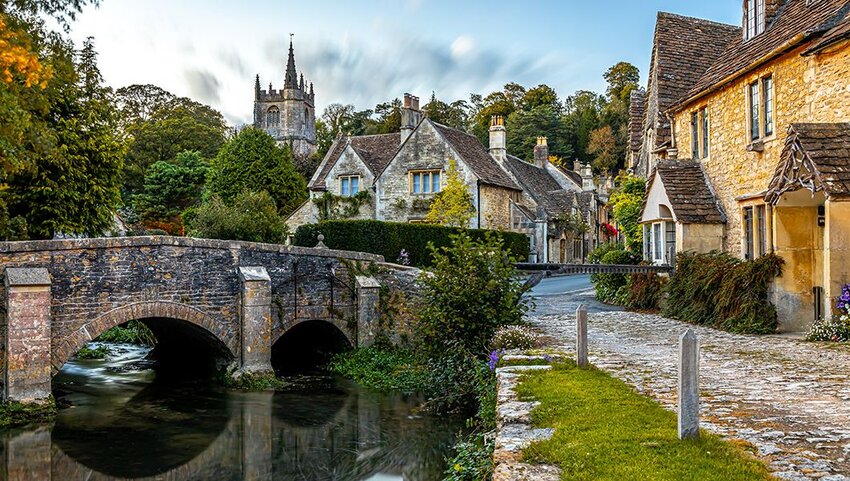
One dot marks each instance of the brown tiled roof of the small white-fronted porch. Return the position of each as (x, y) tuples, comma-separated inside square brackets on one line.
[(687, 189)]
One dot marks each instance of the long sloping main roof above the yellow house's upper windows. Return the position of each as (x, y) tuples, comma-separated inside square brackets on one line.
[(797, 21)]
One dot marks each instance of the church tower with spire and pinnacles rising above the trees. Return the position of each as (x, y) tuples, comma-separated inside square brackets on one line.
[(288, 114)]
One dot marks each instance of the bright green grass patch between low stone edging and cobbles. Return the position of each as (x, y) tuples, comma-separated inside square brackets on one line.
[(604, 430)]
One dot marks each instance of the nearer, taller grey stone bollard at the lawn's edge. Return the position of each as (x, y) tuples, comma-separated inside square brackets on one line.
[(688, 386)]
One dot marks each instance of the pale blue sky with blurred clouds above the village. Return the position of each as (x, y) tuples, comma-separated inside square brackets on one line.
[(365, 52)]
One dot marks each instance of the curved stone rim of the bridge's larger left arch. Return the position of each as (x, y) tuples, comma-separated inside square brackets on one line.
[(138, 311)]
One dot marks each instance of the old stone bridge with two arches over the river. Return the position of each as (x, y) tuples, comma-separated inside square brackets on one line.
[(241, 297)]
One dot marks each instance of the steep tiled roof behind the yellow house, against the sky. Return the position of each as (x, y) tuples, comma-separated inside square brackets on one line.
[(684, 48)]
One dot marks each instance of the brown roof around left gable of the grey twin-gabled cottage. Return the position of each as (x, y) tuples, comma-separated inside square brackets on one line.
[(375, 150)]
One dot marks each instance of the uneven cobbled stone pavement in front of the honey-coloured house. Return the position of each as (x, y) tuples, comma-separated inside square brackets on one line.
[(788, 398)]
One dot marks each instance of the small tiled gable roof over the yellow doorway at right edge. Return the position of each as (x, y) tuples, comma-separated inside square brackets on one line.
[(815, 157)]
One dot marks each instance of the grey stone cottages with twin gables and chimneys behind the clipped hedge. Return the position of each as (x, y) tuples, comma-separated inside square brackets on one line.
[(395, 177)]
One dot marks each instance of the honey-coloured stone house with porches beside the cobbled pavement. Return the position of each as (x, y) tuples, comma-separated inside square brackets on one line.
[(763, 132)]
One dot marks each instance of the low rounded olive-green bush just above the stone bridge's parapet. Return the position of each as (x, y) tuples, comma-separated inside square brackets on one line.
[(252, 217)]
